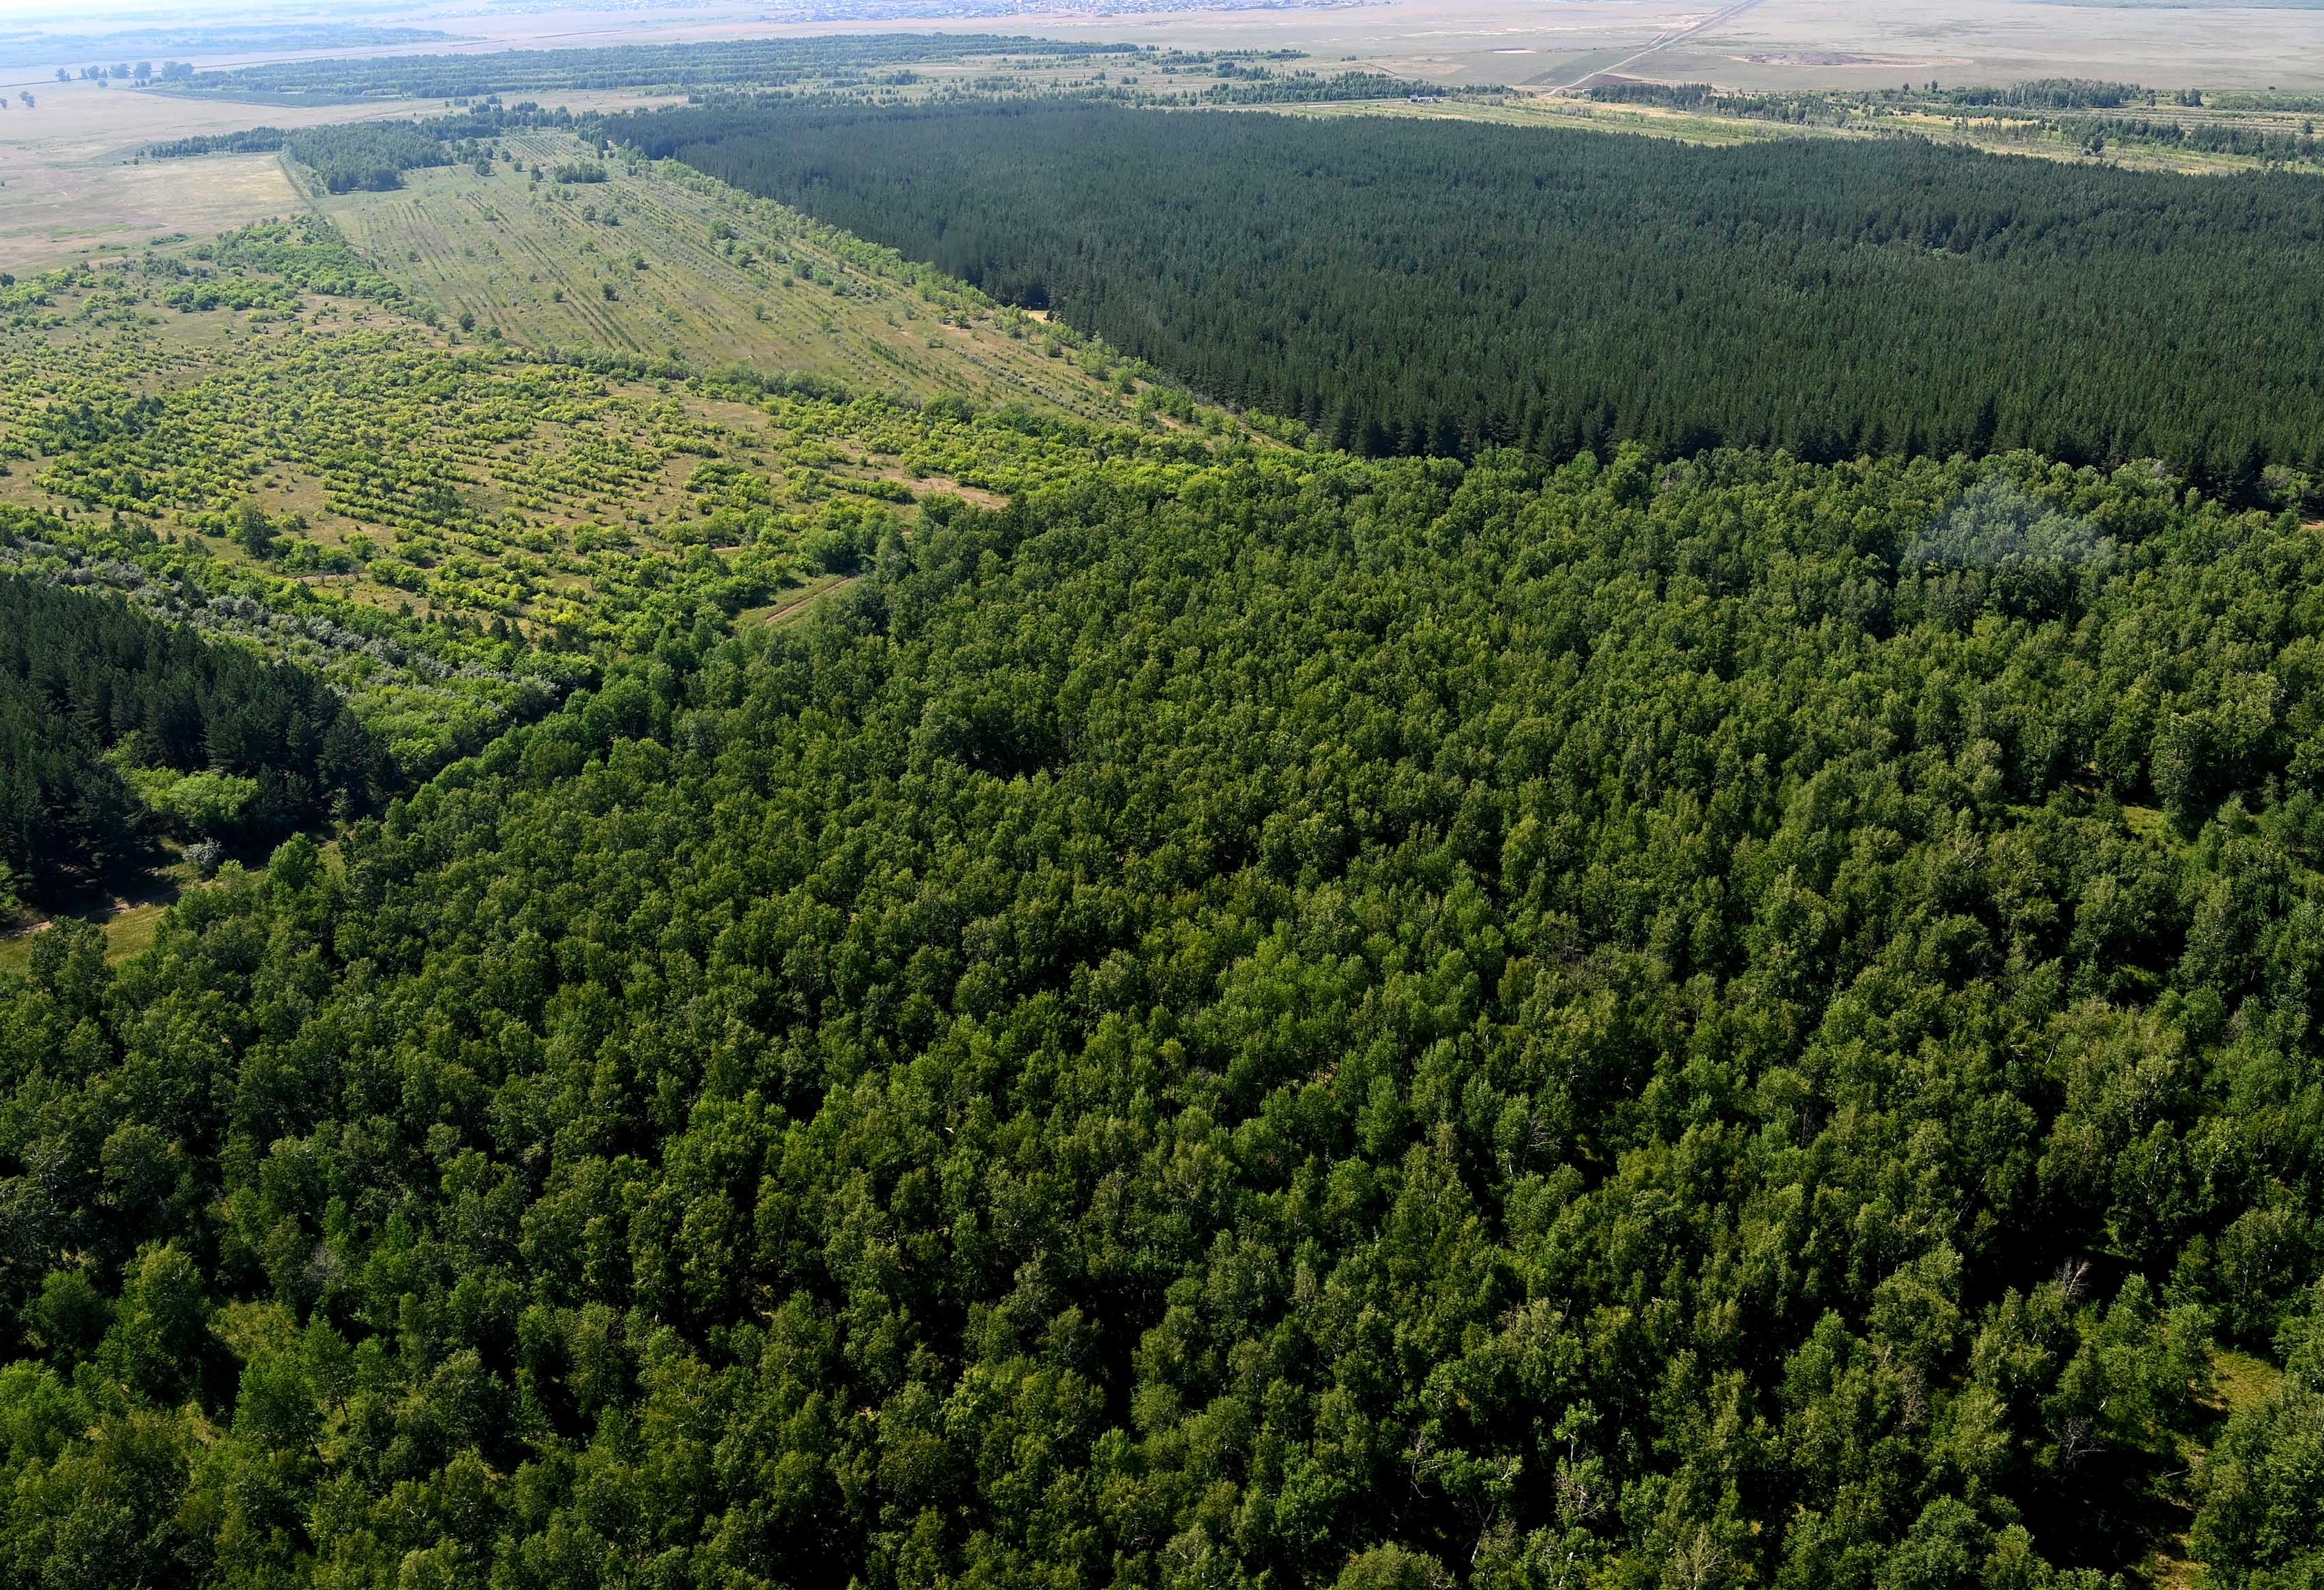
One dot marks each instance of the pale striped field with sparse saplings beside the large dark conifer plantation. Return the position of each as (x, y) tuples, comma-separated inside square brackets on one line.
[(661, 264)]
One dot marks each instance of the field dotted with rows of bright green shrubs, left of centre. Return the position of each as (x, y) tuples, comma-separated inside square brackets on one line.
[(257, 431)]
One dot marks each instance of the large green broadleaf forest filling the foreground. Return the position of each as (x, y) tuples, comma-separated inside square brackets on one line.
[(1263, 1024)]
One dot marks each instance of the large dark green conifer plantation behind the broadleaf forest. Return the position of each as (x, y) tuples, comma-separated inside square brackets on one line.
[(1426, 287)]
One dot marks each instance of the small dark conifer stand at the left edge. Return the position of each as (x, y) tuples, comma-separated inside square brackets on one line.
[(117, 726)]
